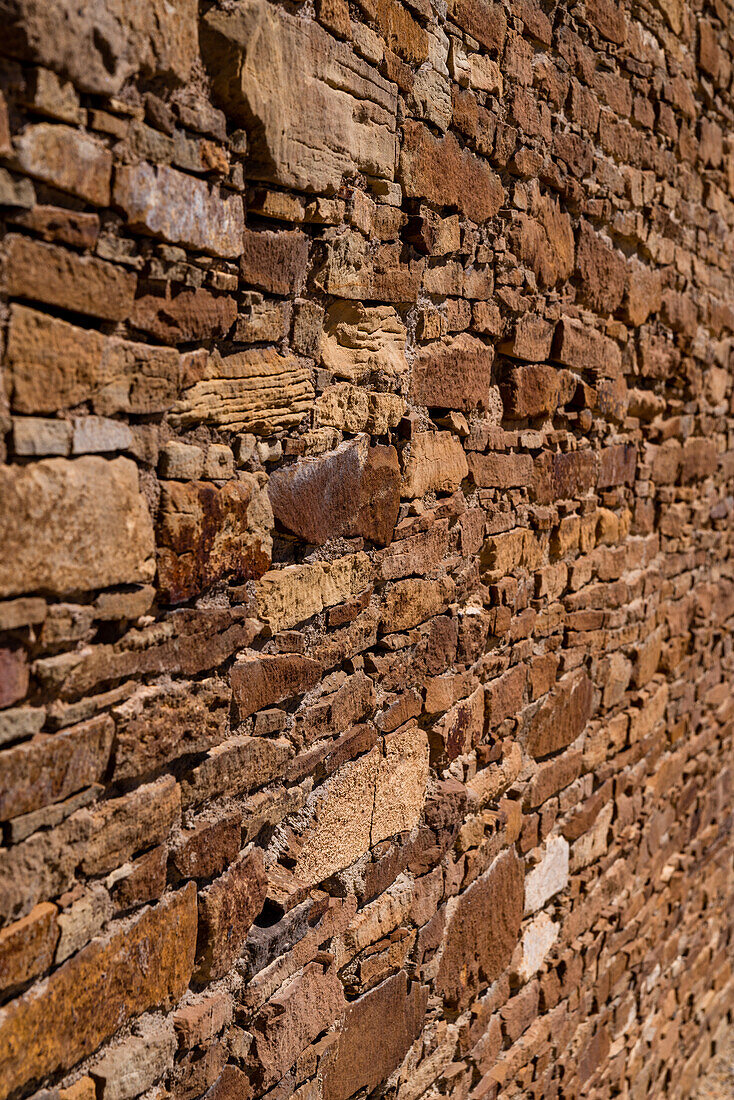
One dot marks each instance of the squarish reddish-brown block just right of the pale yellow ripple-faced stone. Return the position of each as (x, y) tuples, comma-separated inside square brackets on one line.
[(453, 373)]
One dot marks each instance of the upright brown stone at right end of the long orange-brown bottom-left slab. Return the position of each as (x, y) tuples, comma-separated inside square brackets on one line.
[(227, 910)]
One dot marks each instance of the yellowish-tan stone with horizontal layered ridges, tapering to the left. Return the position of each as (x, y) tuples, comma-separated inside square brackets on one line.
[(257, 391)]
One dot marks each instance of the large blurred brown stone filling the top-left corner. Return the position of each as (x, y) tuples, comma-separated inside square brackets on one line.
[(102, 43)]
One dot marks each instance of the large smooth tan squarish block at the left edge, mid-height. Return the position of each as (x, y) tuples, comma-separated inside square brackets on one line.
[(73, 525)]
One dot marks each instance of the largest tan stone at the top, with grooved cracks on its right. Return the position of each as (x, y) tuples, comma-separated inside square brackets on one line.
[(316, 112)]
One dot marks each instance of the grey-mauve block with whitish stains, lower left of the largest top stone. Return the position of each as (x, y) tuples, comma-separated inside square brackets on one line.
[(179, 208)]
